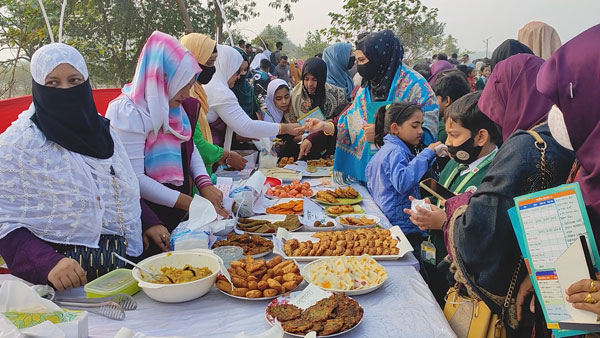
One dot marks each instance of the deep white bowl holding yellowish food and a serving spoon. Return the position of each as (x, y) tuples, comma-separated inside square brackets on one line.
[(176, 293)]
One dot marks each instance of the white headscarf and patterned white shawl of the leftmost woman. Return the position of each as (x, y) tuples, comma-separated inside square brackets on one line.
[(58, 195)]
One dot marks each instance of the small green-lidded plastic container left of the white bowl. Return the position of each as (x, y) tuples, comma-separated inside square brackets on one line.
[(114, 282)]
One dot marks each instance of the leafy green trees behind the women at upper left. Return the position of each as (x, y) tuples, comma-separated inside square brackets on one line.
[(111, 33)]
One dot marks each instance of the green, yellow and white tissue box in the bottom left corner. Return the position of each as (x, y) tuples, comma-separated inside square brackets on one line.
[(73, 323)]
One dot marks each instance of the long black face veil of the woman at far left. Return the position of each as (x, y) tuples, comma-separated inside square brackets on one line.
[(69, 118)]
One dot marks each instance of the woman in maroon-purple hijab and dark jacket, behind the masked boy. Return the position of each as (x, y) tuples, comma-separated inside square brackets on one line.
[(483, 251)]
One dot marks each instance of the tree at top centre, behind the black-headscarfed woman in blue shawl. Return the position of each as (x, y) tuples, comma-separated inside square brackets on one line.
[(414, 23)]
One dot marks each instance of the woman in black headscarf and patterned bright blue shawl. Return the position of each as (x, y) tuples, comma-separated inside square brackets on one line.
[(385, 79)]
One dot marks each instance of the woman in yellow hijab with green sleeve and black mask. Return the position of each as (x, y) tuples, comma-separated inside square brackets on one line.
[(205, 51)]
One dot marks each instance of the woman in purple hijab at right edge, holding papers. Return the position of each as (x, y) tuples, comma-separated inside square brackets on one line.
[(570, 80)]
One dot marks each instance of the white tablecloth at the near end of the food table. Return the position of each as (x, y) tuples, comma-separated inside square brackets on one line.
[(402, 307)]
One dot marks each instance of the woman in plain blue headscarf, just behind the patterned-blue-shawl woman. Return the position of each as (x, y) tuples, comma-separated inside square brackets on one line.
[(339, 59)]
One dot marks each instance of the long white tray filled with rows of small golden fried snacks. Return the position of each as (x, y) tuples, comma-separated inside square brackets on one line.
[(381, 244)]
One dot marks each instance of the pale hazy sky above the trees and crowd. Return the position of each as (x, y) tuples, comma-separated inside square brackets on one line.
[(470, 21)]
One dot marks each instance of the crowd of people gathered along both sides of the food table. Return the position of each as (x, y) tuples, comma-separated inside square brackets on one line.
[(76, 186)]
